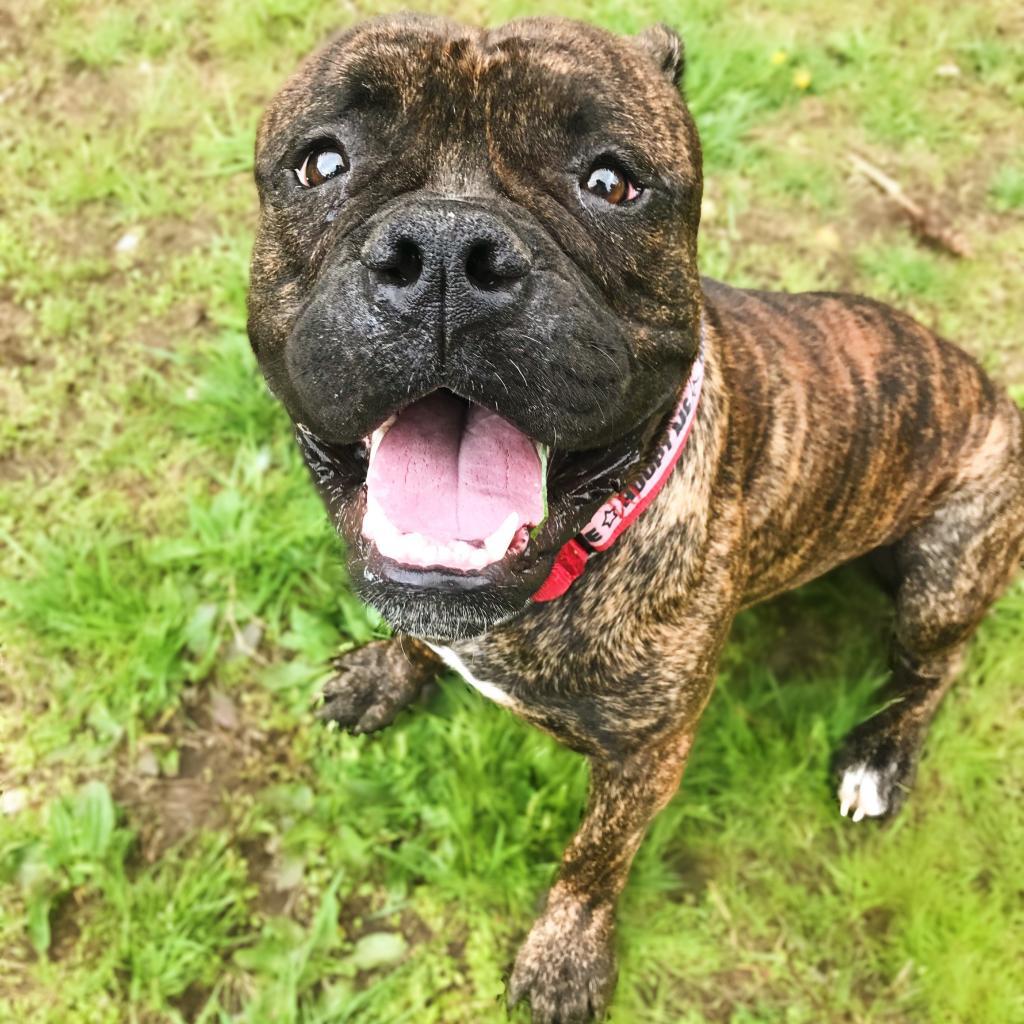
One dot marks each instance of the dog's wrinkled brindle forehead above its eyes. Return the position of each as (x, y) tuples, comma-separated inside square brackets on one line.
[(523, 84)]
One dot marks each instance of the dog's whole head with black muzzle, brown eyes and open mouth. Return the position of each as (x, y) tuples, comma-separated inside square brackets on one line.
[(475, 289)]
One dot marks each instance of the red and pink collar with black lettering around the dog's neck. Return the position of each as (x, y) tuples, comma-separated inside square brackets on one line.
[(623, 509)]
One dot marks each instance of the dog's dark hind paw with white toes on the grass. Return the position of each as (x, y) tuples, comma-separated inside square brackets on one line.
[(877, 765)]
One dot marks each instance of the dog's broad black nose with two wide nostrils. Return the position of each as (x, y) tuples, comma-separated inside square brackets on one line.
[(446, 254)]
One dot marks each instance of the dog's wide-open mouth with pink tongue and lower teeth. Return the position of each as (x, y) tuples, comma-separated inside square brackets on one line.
[(453, 486)]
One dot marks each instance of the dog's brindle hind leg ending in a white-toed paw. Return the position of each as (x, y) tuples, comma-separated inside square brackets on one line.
[(950, 570)]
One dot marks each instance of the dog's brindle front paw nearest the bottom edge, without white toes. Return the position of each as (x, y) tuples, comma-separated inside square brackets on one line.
[(567, 967)]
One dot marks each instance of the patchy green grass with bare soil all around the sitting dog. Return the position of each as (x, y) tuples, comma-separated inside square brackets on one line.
[(181, 842)]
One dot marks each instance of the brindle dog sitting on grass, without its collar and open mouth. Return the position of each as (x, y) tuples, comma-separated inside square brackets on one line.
[(511, 216)]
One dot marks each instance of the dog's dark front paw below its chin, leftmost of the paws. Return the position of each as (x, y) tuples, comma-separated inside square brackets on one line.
[(372, 685)]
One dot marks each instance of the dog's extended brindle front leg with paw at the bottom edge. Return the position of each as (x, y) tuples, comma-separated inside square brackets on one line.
[(567, 967)]
